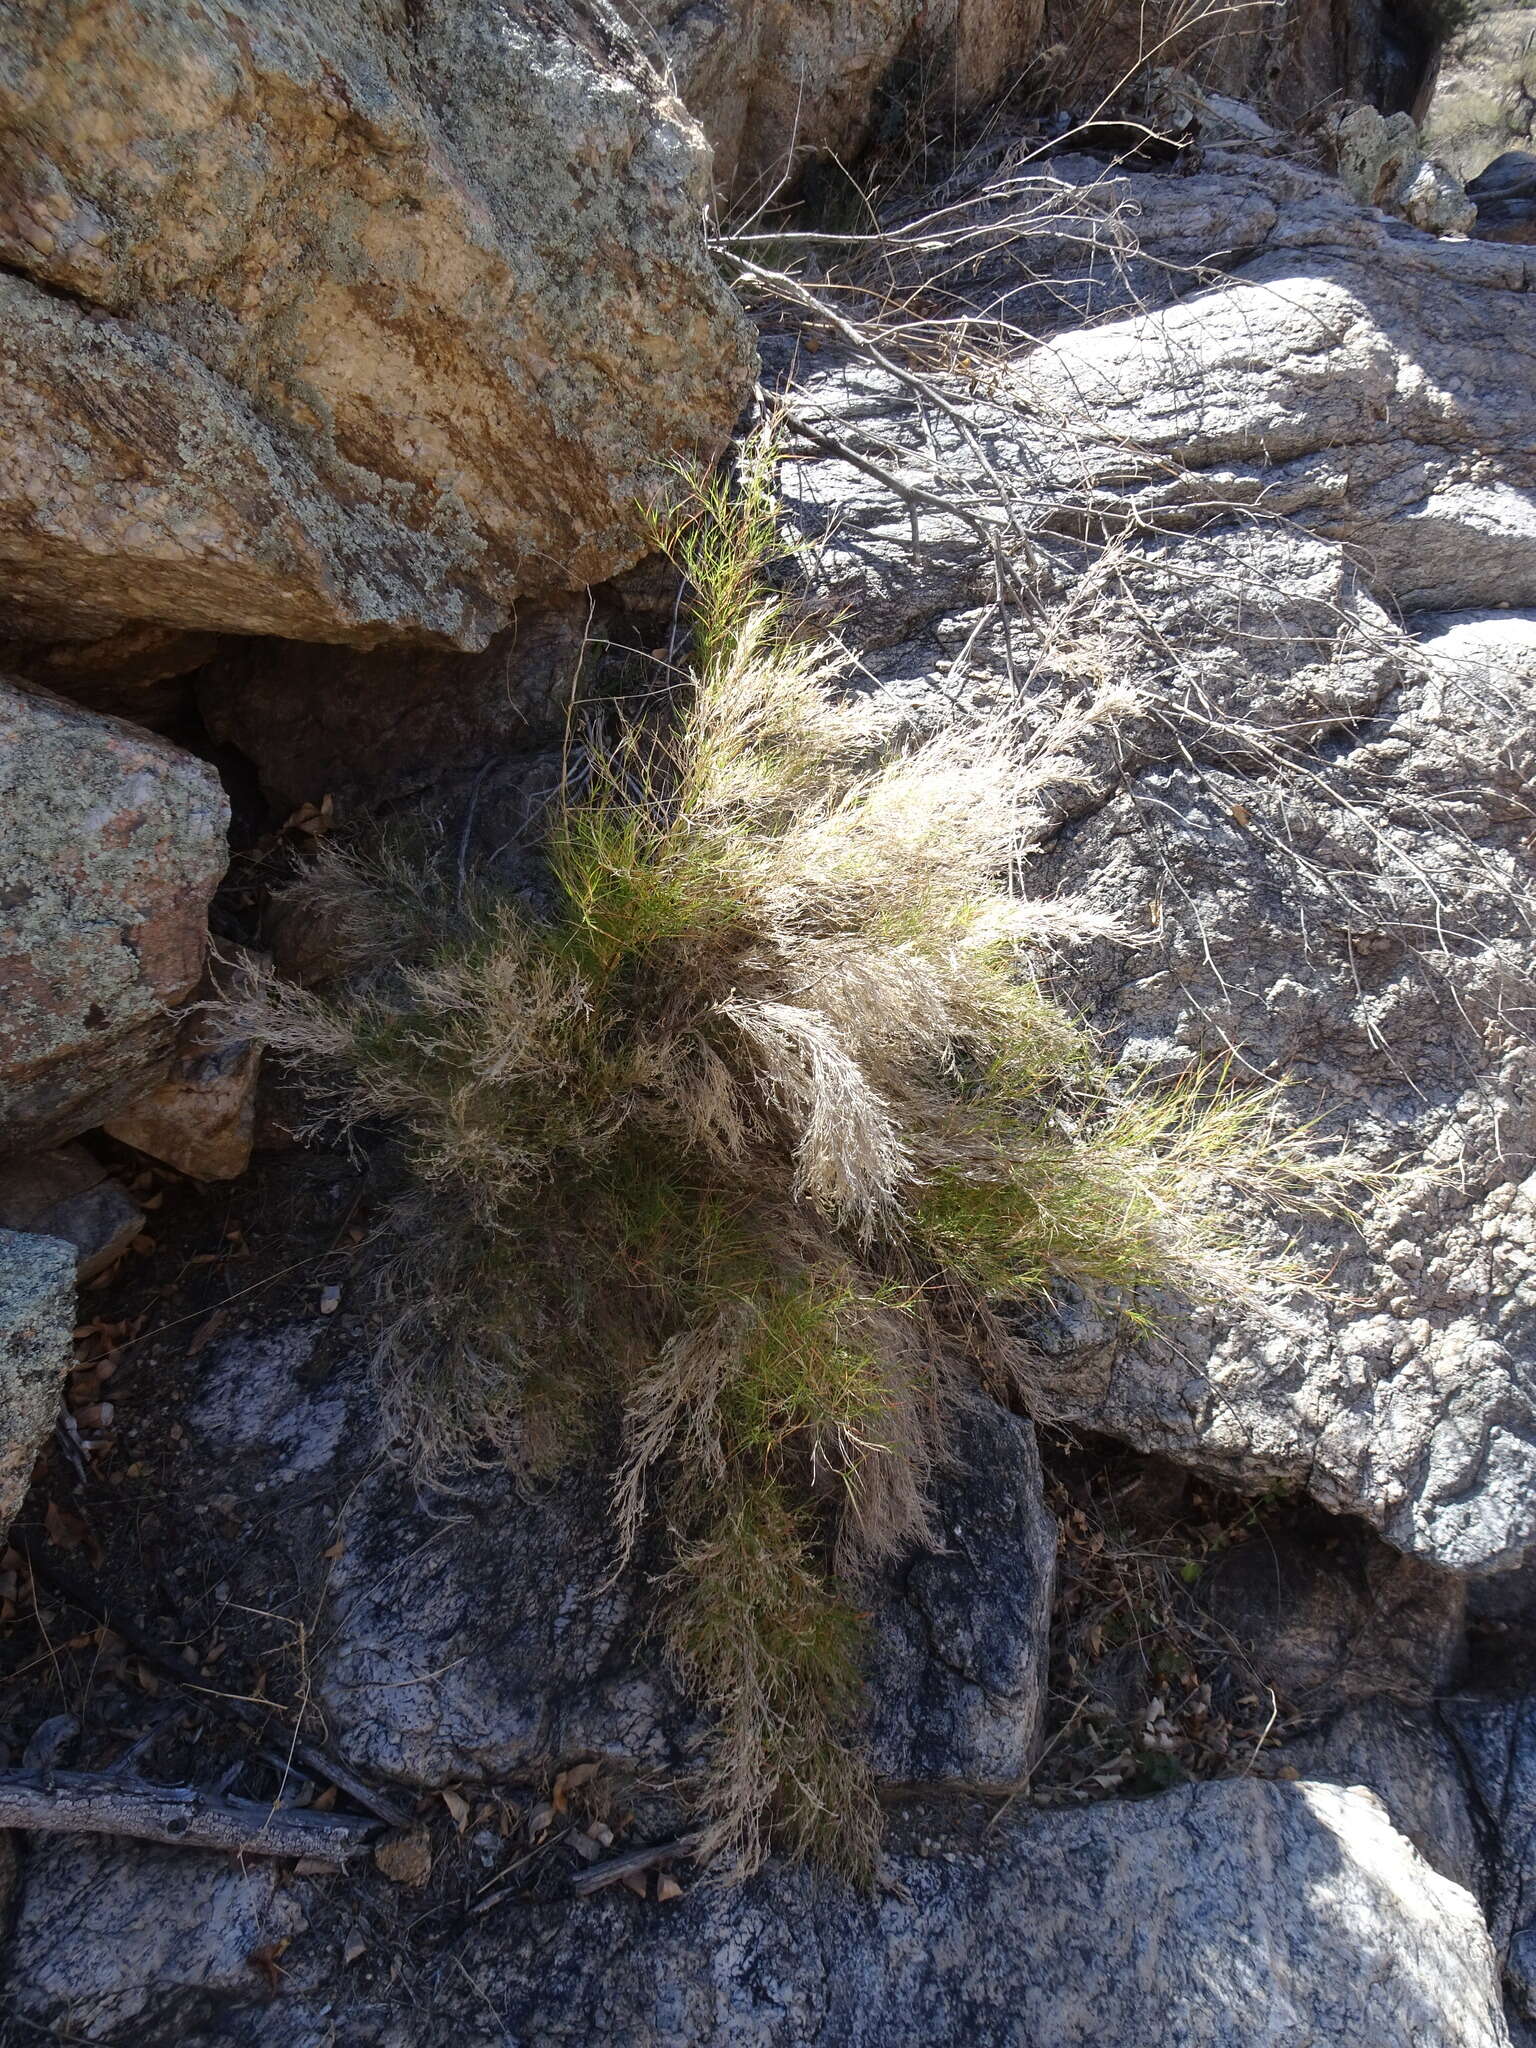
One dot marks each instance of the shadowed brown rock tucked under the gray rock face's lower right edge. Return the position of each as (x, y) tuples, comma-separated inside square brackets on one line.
[(1328, 1615)]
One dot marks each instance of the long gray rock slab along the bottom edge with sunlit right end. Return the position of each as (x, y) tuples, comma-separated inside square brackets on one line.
[(1207, 1918)]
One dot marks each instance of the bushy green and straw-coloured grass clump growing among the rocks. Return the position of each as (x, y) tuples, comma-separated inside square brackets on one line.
[(736, 1132)]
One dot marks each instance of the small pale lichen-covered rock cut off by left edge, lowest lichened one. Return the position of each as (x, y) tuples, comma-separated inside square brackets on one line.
[(36, 1330)]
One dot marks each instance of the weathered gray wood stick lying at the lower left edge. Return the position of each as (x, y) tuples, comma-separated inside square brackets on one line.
[(97, 1803)]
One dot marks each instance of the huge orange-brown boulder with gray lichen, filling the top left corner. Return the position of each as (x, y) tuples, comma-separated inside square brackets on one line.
[(398, 316)]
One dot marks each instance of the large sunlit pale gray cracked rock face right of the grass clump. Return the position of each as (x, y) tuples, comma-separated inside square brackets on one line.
[(1316, 814)]
